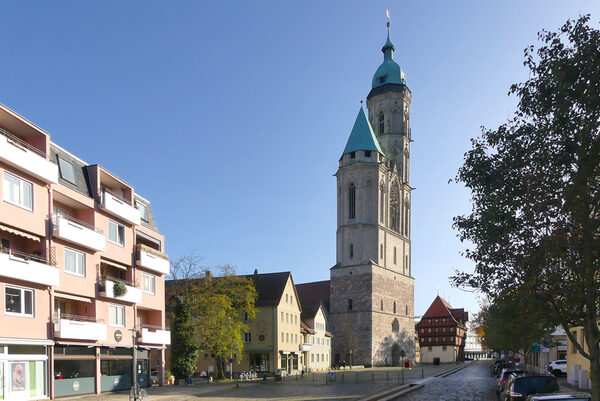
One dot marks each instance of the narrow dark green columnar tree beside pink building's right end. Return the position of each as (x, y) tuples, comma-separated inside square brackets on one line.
[(184, 349)]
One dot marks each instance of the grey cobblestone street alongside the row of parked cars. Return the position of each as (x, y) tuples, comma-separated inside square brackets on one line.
[(474, 383)]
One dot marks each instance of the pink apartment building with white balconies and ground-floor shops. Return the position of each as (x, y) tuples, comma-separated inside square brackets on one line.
[(82, 268)]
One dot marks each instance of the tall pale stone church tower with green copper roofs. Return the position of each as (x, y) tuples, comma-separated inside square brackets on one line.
[(372, 288)]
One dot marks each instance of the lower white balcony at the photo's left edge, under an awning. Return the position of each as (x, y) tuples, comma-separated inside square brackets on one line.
[(31, 268)]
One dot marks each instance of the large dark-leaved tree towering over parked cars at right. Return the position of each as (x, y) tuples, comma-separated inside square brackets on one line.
[(535, 182)]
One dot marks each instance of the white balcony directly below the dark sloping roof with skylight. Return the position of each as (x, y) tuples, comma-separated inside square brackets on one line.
[(79, 232)]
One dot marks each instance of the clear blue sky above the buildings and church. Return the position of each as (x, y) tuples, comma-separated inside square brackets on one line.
[(230, 116)]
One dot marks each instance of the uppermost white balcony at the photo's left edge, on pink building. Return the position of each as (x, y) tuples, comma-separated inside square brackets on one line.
[(26, 157)]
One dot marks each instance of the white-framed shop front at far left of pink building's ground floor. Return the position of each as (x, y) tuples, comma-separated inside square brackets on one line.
[(23, 370)]
